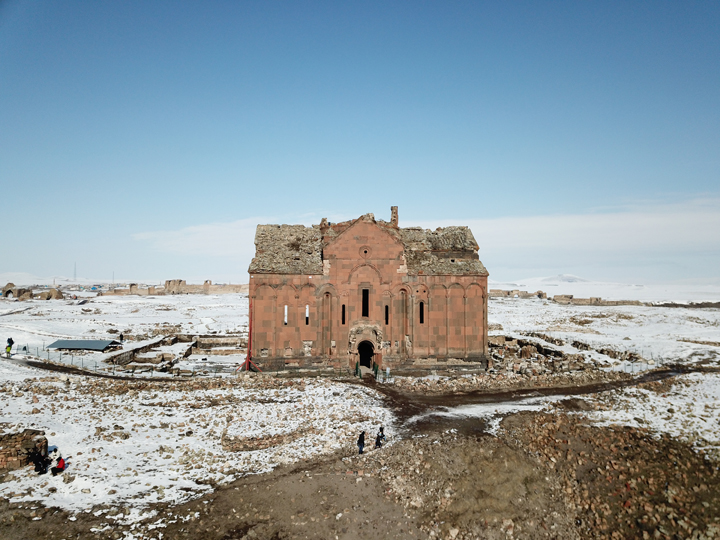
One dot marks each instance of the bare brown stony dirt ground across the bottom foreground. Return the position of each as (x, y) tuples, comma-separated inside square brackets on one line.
[(543, 476)]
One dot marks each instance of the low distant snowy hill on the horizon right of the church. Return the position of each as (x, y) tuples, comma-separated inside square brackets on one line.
[(583, 288)]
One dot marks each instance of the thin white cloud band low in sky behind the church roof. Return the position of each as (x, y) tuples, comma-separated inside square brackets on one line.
[(667, 241)]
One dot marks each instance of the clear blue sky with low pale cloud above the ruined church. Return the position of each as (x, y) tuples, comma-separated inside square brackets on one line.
[(148, 138)]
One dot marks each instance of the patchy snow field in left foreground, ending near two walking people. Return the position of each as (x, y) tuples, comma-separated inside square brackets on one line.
[(128, 448)]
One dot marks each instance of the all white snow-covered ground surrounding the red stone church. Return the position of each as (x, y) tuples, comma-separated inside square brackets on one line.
[(132, 471)]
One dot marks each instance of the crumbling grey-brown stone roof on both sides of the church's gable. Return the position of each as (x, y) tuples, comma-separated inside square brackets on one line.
[(296, 249)]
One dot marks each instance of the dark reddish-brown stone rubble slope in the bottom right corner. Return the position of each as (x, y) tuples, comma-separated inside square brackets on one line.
[(623, 482)]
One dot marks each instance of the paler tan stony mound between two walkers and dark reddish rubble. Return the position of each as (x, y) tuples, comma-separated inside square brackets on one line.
[(469, 488)]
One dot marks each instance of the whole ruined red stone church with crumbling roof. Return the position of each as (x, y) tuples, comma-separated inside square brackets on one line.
[(366, 291)]
